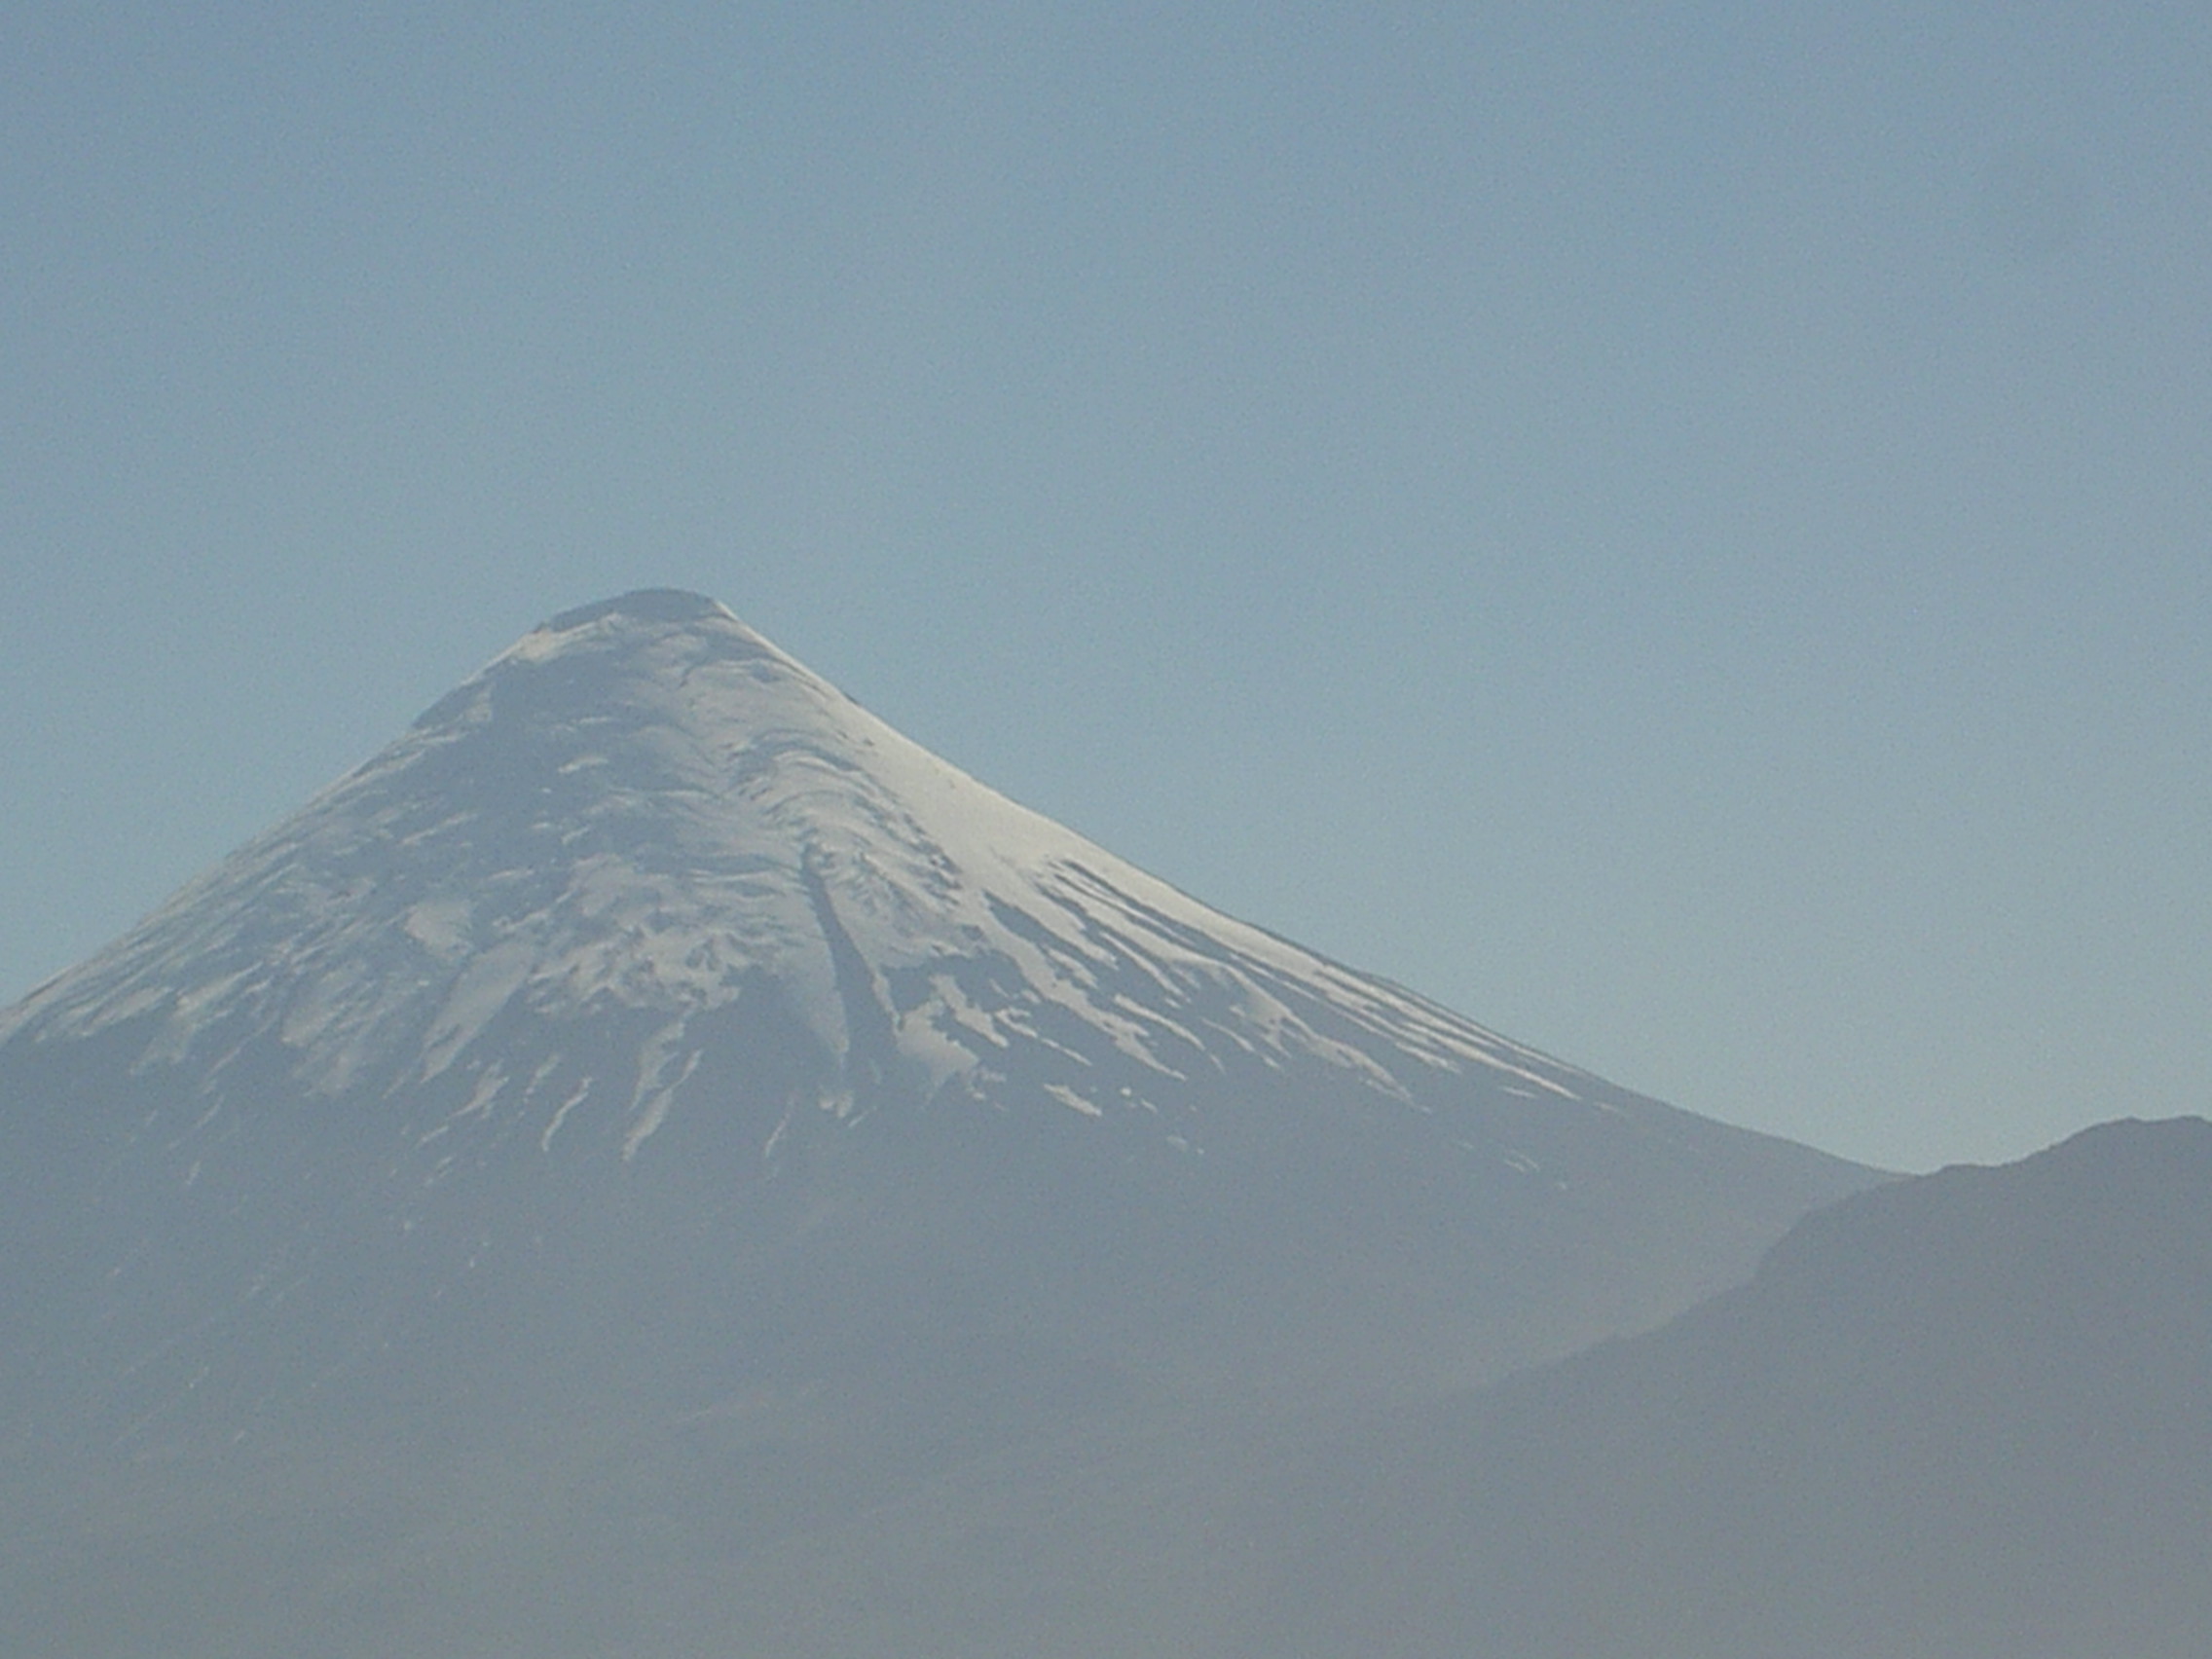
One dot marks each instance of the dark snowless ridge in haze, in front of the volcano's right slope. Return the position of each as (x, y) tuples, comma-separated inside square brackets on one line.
[(1965, 1417)]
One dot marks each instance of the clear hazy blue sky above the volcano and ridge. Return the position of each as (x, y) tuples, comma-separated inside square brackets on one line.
[(1678, 530)]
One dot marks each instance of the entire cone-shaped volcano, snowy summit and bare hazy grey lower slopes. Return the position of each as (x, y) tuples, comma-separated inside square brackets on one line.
[(651, 1063)]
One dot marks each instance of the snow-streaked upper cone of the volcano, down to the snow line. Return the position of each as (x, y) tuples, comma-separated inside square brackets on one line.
[(649, 808)]
